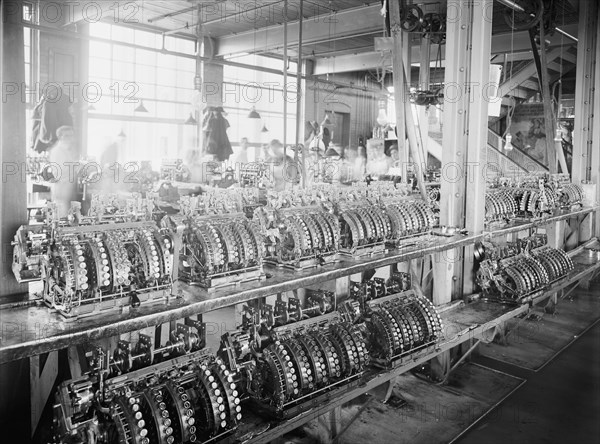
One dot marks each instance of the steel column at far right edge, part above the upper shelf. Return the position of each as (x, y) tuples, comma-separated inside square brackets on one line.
[(584, 91)]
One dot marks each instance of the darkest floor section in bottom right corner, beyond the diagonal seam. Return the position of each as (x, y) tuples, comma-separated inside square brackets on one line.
[(558, 404)]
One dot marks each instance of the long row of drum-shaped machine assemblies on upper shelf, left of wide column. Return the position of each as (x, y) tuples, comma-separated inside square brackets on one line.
[(96, 263)]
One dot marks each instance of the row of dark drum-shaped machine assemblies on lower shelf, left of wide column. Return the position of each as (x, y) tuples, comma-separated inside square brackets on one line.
[(279, 362)]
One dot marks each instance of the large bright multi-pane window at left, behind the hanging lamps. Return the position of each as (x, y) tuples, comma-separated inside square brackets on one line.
[(122, 77)]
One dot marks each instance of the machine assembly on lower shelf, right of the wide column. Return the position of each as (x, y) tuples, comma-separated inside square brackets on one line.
[(515, 270)]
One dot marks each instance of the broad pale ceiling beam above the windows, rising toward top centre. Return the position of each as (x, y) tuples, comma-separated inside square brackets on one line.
[(316, 29)]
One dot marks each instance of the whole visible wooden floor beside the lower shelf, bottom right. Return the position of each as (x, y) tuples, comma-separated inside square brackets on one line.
[(542, 386)]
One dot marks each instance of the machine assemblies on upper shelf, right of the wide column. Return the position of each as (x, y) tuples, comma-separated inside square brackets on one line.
[(531, 197)]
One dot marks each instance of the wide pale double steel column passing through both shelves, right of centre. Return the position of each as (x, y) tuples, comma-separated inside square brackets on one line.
[(468, 43)]
